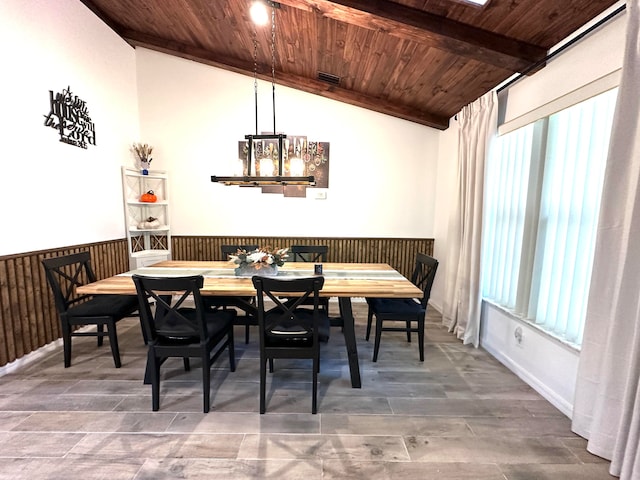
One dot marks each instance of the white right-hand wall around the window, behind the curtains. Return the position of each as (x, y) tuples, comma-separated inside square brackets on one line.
[(544, 363)]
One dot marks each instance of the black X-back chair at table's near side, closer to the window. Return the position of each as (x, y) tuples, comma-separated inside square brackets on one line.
[(288, 330)]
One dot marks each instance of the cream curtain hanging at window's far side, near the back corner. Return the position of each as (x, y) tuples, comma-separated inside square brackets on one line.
[(461, 309)]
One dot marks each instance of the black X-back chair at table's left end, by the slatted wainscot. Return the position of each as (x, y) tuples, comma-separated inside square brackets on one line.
[(66, 273)]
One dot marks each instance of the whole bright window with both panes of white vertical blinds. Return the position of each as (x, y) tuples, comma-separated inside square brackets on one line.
[(543, 189)]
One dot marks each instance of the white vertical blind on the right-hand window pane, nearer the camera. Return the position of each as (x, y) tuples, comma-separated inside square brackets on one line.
[(577, 145)]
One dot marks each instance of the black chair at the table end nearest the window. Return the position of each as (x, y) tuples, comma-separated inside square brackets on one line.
[(409, 311)]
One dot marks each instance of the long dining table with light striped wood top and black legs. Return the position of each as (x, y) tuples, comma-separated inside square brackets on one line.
[(344, 281)]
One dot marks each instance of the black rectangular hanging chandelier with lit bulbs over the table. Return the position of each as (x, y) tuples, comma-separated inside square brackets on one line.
[(265, 163)]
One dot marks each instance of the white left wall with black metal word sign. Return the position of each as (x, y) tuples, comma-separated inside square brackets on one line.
[(54, 194)]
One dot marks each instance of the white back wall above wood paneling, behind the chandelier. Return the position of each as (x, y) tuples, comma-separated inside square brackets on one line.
[(382, 174)]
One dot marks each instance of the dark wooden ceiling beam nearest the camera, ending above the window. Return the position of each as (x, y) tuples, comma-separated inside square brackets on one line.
[(425, 28)]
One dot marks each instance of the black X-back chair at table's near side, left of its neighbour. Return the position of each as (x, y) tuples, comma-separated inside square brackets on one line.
[(177, 329)]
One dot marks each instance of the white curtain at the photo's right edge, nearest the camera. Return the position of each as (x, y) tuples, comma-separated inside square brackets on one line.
[(607, 402)]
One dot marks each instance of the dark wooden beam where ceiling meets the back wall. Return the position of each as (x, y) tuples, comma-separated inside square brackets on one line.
[(298, 82)]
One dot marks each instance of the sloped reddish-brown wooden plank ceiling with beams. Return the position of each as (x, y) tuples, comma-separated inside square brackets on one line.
[(420, 60)]
